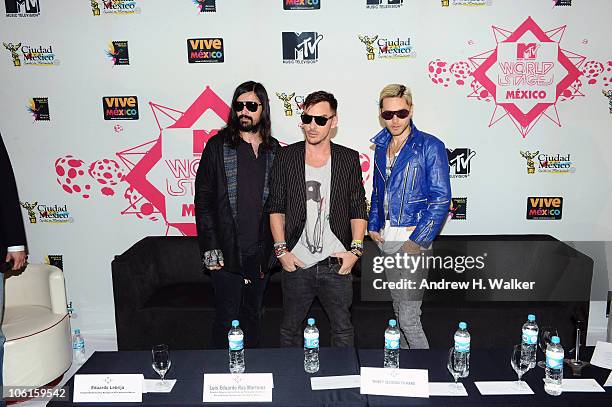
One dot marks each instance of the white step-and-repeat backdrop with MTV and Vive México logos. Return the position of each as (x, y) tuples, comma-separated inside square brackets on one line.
[(107, 106)]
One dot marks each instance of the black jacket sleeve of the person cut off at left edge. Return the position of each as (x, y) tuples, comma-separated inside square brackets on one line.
[(12, 232)]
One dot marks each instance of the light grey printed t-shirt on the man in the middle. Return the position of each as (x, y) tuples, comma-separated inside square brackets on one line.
[(317, 241)]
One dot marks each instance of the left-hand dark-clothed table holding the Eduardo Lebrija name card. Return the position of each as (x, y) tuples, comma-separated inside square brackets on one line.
[(291, 383)]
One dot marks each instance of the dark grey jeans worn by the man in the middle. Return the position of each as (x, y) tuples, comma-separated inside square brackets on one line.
[(335, 292)]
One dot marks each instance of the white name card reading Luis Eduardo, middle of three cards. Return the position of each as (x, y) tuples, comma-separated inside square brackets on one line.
[(238, 387)]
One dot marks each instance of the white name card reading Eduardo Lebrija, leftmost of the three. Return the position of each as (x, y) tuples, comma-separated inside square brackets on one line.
[(108, 388)]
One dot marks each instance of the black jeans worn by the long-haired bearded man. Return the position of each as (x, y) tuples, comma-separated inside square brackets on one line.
[(235, 299)]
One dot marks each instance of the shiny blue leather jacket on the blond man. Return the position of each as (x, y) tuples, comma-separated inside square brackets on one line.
[(419, 186)]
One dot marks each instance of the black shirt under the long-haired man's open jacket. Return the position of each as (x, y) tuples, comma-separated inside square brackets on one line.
[(251, 179)]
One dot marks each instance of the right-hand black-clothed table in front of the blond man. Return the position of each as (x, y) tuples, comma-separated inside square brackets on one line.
[(486, 365)]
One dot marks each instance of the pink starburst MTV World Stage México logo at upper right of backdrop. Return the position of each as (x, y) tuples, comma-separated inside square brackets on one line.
[(525, 75)]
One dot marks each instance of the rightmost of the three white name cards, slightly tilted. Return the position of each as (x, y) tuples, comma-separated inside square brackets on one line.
[(395, 382)]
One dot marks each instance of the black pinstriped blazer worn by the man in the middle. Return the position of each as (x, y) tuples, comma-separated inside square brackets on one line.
[(288, 191)]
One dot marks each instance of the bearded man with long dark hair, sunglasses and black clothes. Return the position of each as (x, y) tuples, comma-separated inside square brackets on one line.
[(231, 190)]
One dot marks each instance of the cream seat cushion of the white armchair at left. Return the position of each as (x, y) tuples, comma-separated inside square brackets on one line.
[(26, 320)]
